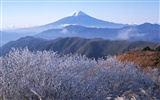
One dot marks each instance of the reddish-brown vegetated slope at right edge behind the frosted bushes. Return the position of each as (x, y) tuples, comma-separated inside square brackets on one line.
[(143, 58)]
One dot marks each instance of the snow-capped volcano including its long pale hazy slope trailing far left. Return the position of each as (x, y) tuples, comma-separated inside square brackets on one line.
[(76, 18)]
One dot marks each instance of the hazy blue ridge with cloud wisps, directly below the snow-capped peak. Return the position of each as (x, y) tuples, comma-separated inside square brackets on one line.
[(143, 32)]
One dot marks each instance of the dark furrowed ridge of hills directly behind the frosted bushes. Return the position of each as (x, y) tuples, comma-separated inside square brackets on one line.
[(90, 47)]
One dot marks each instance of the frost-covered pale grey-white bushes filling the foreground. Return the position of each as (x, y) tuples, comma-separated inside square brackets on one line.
[(46, 75)]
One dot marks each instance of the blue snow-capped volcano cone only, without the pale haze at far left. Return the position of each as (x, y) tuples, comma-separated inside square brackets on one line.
[(81, 18)]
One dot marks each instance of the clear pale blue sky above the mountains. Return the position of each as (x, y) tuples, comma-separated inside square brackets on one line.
[(38, 12)]
